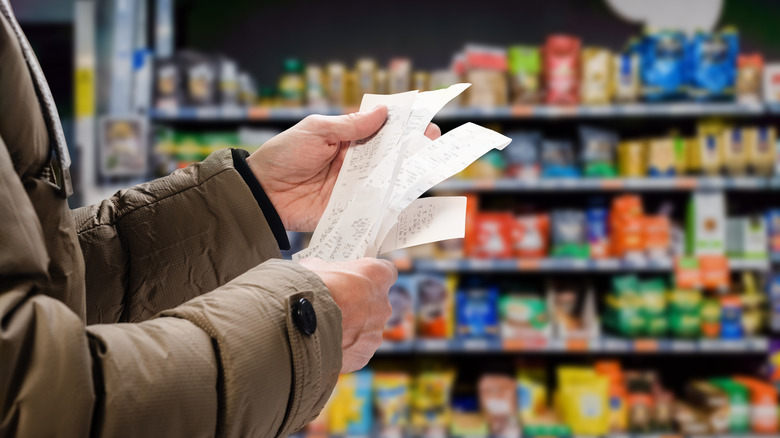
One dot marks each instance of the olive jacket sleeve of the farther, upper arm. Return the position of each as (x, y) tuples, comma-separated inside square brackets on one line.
[(159, 244)]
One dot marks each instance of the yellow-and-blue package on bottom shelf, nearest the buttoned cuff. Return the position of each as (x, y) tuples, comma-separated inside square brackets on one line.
[(351, 405)]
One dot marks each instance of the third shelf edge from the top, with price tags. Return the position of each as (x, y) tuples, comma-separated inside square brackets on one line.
[(567, 265)]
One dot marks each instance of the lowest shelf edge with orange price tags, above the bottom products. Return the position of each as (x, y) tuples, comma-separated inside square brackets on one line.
[(602, 345)]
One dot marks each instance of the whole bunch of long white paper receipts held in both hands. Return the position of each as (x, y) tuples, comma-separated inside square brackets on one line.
[(374, 207)]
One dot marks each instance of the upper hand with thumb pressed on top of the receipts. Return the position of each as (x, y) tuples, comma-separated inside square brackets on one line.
[(298, 167)]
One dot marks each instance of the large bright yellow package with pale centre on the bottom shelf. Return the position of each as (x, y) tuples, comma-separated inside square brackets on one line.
[(583, 398)]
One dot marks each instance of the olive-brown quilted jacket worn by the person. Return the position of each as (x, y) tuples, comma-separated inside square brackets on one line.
[(162, 311)]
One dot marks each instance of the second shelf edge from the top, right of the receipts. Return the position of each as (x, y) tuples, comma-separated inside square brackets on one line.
[(608, 184)]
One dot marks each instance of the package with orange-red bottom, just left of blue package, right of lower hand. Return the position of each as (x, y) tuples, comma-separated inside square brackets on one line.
[(435, 318)]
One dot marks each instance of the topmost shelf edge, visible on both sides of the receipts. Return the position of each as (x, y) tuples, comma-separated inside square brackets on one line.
[(513, 112)]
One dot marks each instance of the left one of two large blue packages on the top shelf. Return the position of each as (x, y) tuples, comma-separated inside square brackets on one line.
[(662, 65)]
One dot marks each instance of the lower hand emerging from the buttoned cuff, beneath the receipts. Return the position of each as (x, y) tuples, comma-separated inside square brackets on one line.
[(360, 290)]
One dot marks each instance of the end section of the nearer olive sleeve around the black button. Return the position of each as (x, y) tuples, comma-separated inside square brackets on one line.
[(275, 379)]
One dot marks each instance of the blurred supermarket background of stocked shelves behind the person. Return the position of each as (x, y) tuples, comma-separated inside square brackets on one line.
[(617, 277)]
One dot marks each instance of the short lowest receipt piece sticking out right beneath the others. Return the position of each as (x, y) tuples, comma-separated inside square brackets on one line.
[(427, 220)]
